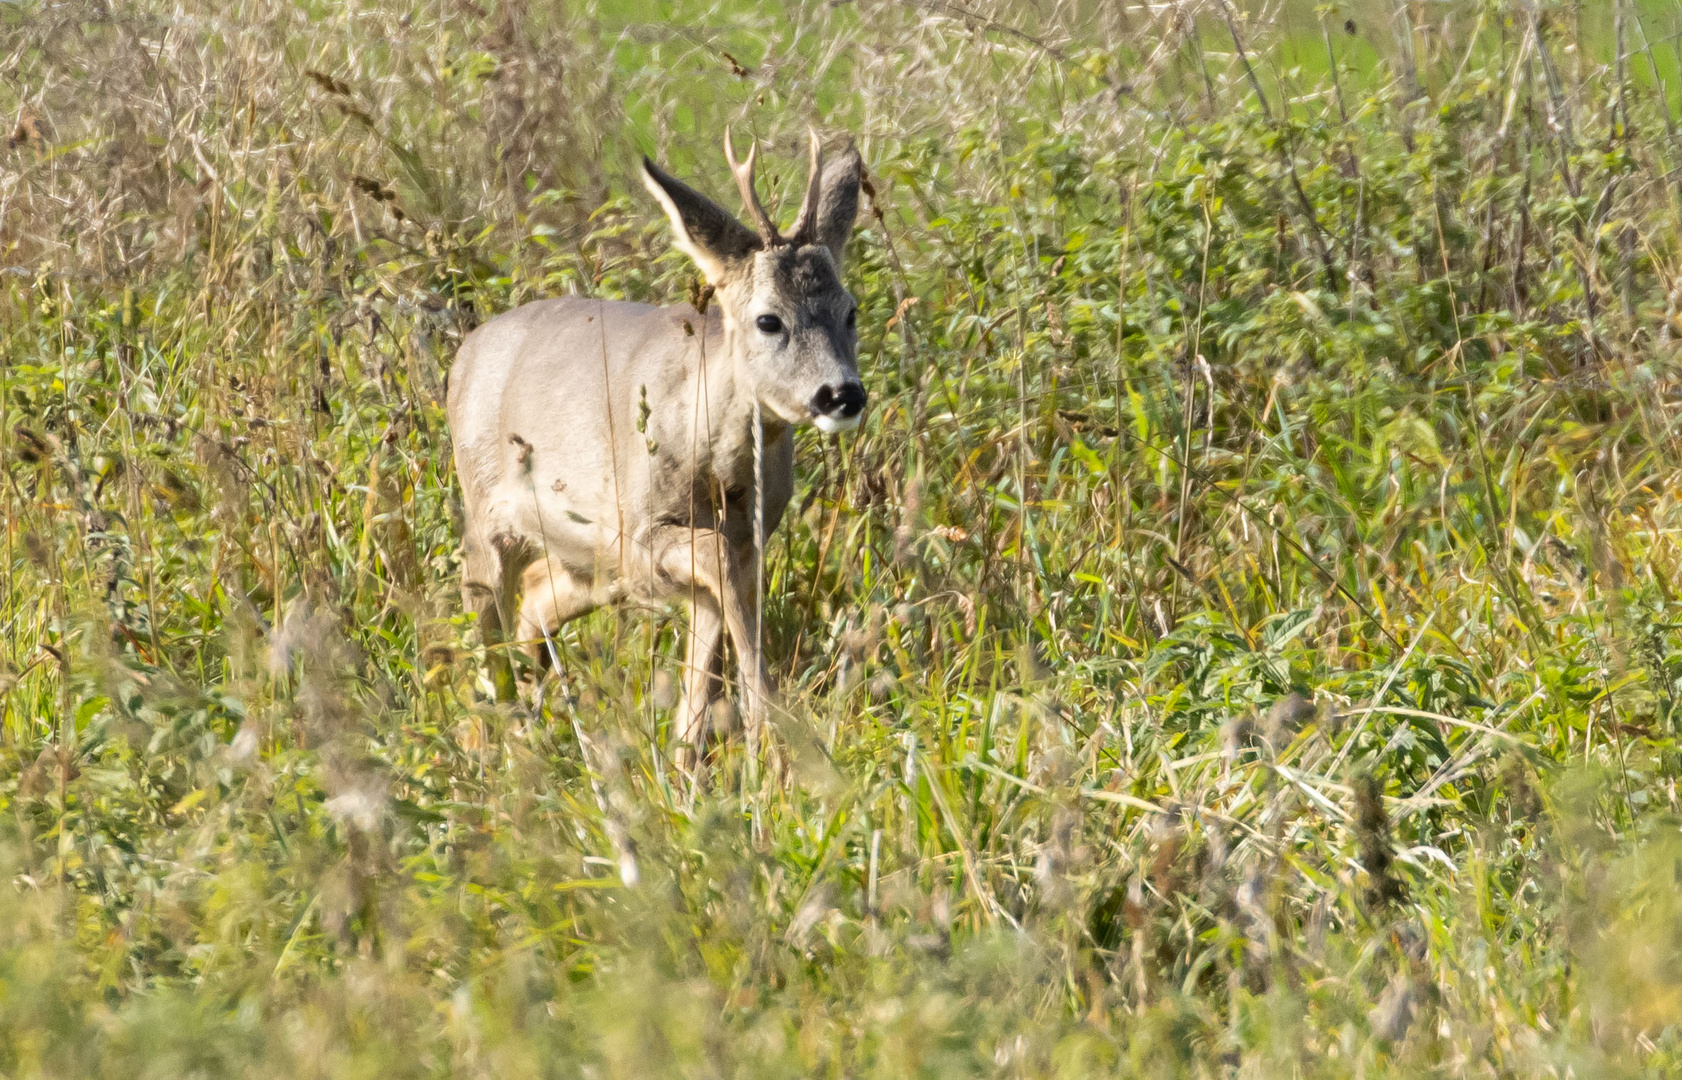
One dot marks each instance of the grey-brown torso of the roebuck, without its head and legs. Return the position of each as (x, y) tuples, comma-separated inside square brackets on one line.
[(586, 485)]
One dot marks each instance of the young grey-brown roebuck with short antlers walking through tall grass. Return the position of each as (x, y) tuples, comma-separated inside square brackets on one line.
[(608, 450)]
